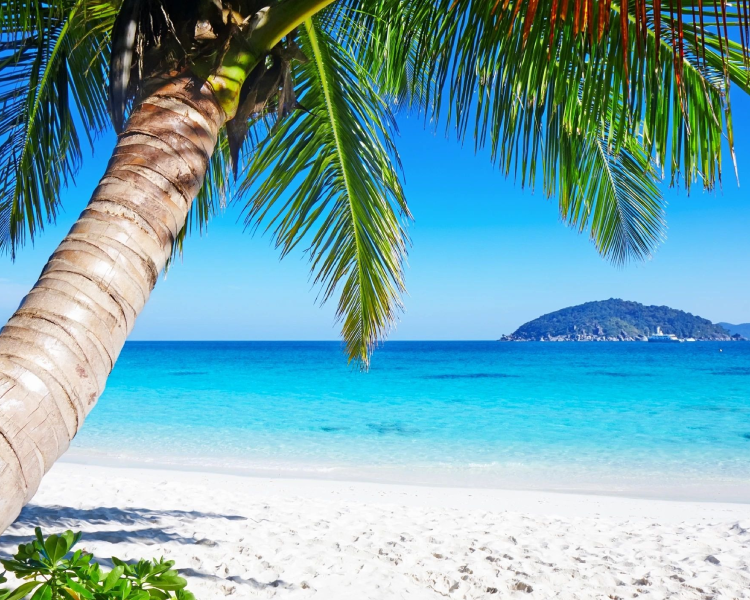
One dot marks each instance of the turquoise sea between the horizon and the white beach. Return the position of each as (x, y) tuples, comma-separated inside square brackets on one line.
[(630, 418)]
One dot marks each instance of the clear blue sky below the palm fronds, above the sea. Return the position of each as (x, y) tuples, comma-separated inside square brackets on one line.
[(486, 257)]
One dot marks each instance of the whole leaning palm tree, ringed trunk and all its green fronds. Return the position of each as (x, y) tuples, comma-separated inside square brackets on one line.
[(599, 99)]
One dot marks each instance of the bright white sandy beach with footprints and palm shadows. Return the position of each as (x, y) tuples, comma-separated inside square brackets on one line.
[(249, 537)]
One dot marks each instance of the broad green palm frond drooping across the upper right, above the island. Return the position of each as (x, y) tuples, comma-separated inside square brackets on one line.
[(494, 64)]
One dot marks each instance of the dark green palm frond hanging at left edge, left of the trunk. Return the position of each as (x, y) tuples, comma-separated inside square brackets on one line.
[(52, 83)]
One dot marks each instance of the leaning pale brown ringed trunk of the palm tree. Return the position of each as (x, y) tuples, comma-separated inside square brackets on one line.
[(61, 344)]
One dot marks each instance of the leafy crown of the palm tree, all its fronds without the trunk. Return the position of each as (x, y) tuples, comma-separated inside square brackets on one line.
[(599, 99)]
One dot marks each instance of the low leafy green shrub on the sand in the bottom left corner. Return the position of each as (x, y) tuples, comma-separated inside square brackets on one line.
[(49, 575)]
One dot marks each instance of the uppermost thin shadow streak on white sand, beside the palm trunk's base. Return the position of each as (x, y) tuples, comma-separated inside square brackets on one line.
[(65, 516)]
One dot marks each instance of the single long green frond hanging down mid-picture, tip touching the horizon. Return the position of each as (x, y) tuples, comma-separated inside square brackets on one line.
[(328, 175)]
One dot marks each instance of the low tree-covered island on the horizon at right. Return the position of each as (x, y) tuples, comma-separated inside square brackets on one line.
[(616, 320)]
